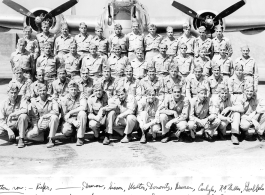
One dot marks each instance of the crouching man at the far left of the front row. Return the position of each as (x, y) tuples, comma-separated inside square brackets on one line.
[(13, 116)]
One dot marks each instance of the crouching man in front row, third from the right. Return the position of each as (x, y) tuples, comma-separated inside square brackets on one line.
[(201, 117)]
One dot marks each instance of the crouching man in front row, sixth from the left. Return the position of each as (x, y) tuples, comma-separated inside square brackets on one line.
[(148, 114)]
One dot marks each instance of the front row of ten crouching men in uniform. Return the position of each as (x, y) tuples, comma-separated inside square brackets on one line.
[(76, 111)]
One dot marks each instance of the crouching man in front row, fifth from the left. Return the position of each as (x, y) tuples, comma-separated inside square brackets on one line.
[(121, 116)]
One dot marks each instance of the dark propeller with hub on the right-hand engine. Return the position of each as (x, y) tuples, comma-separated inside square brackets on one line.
[(208, 21)]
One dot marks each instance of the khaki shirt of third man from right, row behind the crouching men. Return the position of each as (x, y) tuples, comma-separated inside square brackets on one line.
[(192, 84)]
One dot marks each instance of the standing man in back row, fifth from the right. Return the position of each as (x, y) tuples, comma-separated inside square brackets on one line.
[(151, 41)]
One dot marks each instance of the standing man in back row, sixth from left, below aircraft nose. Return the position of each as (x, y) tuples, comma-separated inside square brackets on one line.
[(118, 38)]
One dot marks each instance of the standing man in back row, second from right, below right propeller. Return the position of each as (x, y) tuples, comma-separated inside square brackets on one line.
[(203, 41)]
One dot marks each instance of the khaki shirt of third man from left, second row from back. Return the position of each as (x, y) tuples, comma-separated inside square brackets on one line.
[(72, 62)]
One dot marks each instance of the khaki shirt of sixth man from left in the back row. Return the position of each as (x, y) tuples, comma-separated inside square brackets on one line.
[(119, 39)]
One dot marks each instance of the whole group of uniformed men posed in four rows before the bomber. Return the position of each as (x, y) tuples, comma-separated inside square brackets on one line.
[(126, 83)]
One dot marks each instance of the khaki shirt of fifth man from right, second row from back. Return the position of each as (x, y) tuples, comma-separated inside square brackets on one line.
[(162, 64)]
